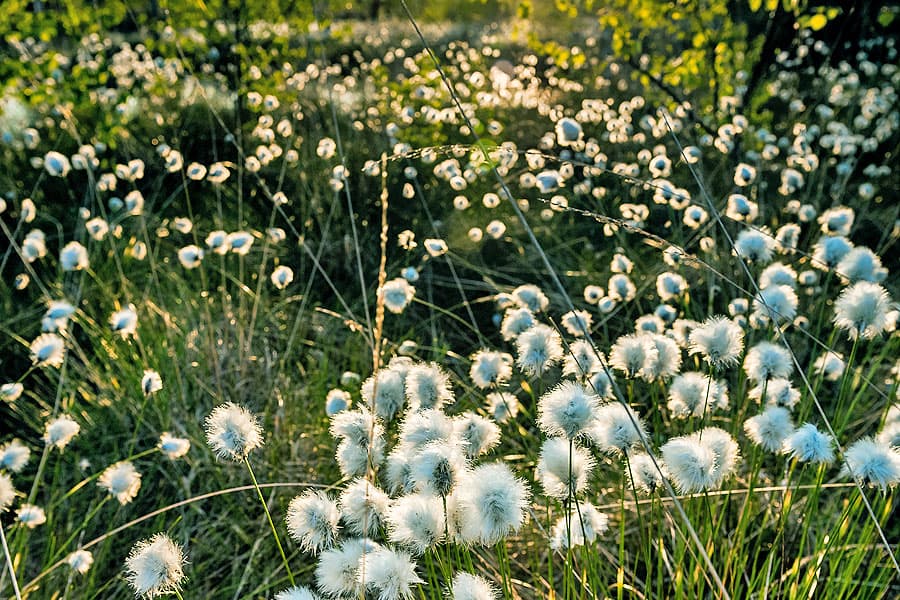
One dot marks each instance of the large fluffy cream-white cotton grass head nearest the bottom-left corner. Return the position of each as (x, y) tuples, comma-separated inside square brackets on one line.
[(155, 567)]
